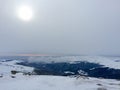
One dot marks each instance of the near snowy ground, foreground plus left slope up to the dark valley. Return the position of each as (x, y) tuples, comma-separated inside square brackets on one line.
[(36, 82)]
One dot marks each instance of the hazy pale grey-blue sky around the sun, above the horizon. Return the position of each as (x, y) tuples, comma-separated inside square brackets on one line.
[(61, 27)]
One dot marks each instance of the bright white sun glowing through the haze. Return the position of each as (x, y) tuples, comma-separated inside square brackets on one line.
[(25, 13)]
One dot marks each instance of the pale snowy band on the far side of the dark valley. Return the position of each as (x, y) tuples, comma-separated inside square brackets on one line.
[(111, 62)]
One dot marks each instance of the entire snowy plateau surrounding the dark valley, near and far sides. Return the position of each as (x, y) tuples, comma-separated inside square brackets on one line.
[(11, 80)]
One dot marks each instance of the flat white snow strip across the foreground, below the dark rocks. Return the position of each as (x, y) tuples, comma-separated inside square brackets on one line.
[(56, 83)]
